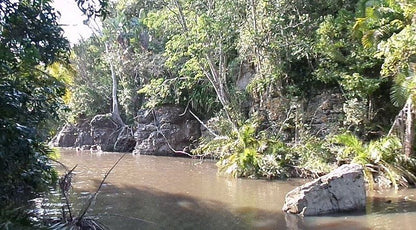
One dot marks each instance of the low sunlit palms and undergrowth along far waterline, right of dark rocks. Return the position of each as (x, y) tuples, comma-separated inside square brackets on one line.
[(250, 152)]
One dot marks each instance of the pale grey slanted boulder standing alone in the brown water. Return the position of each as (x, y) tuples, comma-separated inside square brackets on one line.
[(341, 190)]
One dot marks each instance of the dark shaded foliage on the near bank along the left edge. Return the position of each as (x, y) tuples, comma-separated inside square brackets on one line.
[(30, 41)]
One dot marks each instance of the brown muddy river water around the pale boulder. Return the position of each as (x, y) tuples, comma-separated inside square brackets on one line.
[(148, 192)]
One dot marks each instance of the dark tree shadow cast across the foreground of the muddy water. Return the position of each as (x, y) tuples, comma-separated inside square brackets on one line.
[(147, 208)]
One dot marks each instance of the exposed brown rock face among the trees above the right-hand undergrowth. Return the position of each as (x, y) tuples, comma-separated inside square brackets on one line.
[(321, 112)]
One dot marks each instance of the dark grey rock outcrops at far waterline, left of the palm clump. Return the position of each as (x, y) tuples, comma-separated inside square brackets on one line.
[(166, 130)]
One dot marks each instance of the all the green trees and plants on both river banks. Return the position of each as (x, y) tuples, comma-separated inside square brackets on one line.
[(246, 68)]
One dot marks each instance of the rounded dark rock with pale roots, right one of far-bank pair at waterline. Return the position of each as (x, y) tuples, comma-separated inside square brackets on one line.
[(164, 129)]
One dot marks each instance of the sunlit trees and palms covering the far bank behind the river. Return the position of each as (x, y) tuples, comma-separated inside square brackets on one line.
[(249, 67)]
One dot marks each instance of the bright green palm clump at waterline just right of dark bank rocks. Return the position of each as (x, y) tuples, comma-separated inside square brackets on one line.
[(247, 153)]
